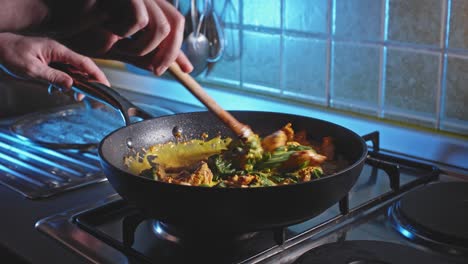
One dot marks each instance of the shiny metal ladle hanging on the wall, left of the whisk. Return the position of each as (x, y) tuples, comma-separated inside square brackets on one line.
[(196, 46)]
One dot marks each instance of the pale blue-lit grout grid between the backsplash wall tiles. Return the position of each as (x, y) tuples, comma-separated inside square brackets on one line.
[(442, 50)]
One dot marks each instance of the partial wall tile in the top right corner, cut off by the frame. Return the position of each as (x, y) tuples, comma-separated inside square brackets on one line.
[(458, 36)]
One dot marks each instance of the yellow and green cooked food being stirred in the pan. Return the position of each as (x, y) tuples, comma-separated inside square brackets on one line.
[(284, 157)]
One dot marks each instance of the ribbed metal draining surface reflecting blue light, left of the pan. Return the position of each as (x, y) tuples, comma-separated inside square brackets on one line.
[(39, 172)]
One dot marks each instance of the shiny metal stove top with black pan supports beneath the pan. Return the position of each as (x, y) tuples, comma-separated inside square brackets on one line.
[(111, 231)]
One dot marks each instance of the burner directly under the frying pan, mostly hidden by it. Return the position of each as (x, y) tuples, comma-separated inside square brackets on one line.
[(192, 238)]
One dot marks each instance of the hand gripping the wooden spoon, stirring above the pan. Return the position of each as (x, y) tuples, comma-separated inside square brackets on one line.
[(147, 33)]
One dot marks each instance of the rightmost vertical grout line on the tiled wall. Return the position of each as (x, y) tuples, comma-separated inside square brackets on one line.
[(441, 88)]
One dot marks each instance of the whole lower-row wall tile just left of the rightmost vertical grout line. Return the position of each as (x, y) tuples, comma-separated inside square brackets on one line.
[(411, 85)]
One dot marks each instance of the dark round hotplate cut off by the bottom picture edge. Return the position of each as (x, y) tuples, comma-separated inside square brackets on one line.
[(367, 252)]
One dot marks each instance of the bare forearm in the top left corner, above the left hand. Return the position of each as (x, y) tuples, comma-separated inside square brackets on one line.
[(22, 15)]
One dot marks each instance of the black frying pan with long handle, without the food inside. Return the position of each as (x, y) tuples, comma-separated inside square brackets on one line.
[(215, 210)]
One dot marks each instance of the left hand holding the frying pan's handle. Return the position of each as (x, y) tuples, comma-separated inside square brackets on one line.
[(29, 58)]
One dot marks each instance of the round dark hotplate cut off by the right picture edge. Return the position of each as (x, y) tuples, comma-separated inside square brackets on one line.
[(435, 215)]
